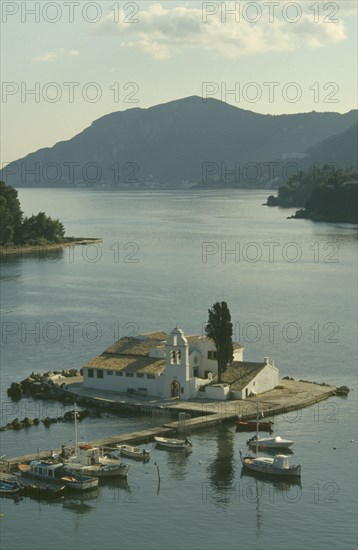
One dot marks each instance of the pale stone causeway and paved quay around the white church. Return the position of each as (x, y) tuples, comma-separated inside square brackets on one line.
[(289, 396)]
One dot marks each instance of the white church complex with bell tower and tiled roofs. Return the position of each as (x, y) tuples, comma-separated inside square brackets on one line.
[(174, 366)]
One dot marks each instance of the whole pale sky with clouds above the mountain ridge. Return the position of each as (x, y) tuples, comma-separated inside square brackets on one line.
[(67, 63)]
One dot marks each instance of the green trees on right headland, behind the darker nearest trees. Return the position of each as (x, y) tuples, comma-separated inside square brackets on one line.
[(298, 189)]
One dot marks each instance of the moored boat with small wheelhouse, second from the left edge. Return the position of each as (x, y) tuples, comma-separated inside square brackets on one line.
[(56, 472)]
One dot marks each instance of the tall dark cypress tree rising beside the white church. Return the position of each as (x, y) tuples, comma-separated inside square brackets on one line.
[(219, 330)]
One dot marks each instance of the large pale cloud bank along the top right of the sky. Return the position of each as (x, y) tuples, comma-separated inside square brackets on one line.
[(161, 32)]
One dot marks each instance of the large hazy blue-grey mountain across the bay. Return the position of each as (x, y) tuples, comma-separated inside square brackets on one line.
[(188, 139)]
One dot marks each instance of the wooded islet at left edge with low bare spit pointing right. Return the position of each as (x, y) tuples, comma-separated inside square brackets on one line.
[(28, 235)]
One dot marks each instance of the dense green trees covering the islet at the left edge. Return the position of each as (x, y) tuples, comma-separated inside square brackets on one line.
[(16, 230)]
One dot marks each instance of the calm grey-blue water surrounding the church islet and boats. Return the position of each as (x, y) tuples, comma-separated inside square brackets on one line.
[(291, 286)]
